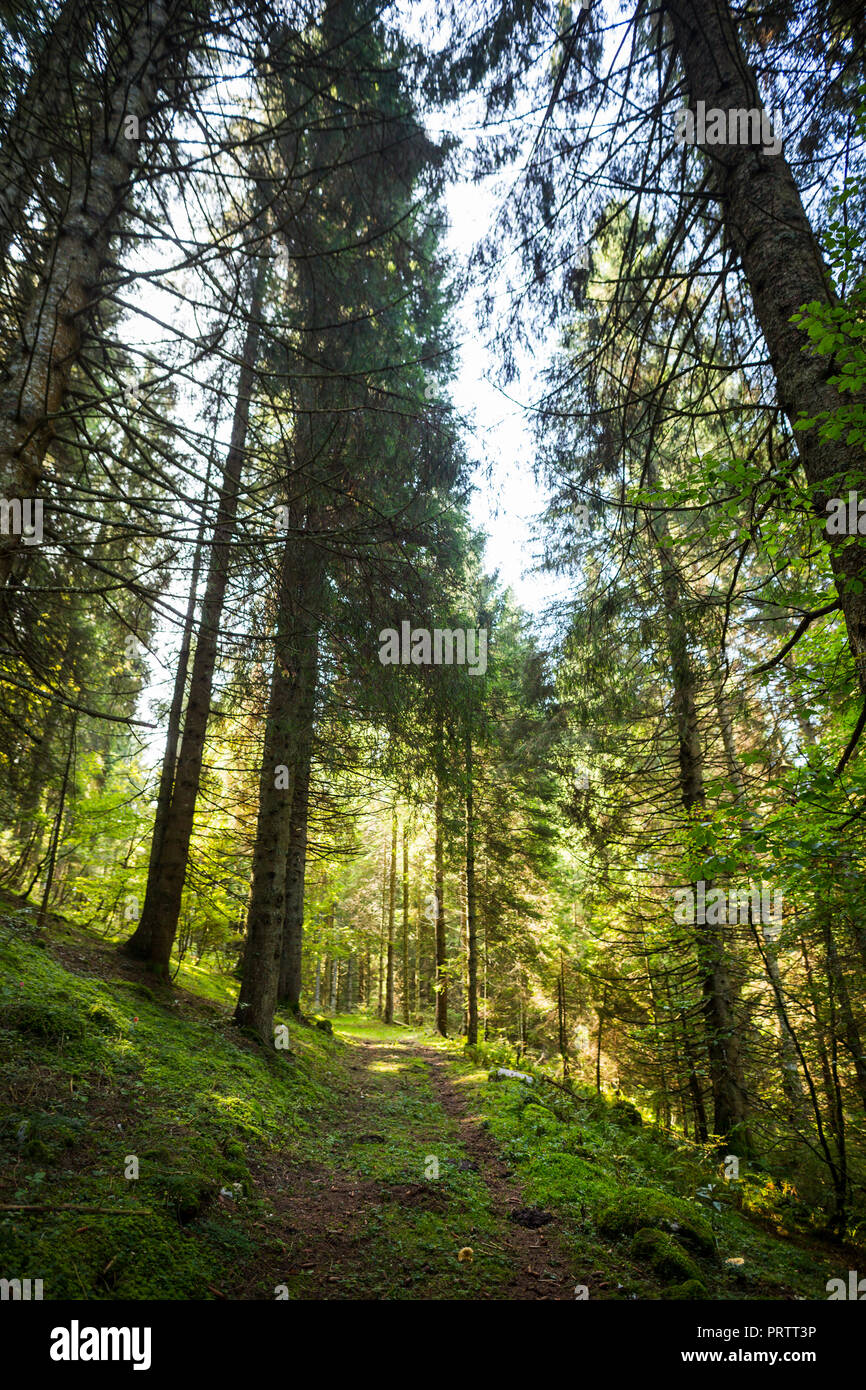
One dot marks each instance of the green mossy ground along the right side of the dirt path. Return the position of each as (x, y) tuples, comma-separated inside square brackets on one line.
[(610, 1179)]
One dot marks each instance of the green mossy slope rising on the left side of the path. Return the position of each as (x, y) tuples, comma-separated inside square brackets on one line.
[(177, 1089)]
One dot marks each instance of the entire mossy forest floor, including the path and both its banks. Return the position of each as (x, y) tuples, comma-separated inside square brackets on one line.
[(333, 1171)]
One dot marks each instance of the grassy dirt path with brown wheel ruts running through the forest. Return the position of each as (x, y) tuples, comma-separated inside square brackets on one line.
[(400, 1181)]
